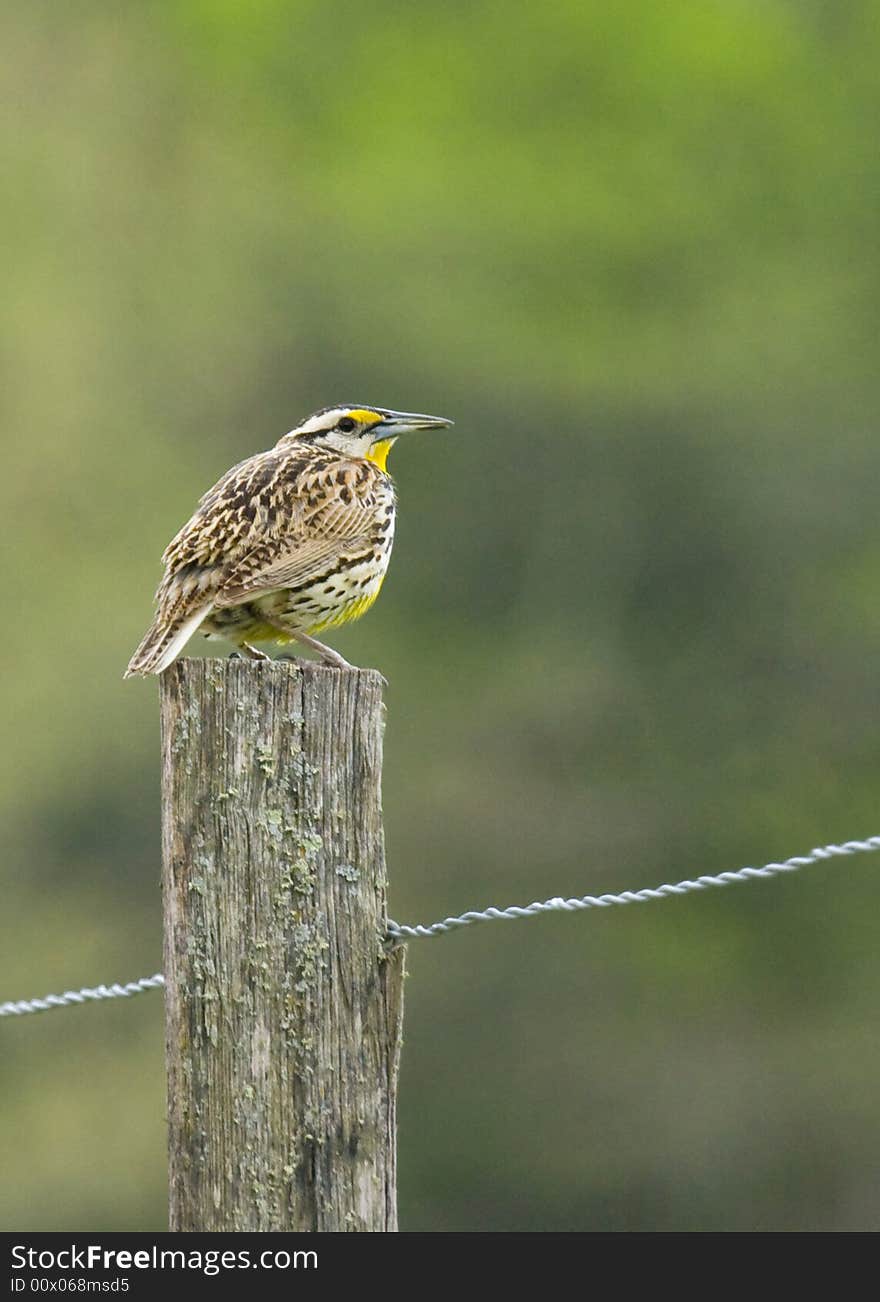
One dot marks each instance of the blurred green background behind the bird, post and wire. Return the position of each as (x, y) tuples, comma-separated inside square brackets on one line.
[(632, 624)]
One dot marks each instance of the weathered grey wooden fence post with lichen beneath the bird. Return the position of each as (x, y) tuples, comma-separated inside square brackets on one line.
[(284, 1008)]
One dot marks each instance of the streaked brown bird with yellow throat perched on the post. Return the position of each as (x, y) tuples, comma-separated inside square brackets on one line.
[(288, 544)]
